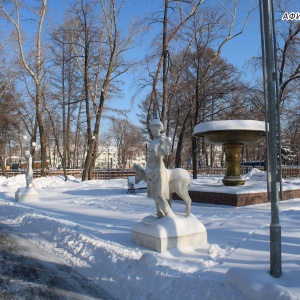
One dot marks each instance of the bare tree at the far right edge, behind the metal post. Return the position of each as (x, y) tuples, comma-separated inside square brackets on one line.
[(288, 66)]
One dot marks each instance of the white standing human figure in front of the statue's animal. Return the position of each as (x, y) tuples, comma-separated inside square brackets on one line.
[(156, 172)]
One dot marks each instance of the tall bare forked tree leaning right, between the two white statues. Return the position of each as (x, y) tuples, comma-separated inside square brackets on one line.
[(98, 48)]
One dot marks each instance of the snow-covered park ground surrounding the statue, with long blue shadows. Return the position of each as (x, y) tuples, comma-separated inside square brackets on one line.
[(87, 225)]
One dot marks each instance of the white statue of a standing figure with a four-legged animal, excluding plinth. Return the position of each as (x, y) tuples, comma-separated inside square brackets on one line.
[(161, 182)]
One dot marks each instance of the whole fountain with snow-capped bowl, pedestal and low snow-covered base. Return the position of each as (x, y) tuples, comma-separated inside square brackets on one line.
[(233, 190)]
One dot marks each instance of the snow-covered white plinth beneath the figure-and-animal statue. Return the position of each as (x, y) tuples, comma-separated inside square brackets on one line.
[(171, 231)]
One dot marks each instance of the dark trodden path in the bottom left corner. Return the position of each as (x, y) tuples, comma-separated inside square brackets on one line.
[(30, 272)]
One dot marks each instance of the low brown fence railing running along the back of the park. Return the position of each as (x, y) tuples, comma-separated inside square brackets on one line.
[(97, 174)]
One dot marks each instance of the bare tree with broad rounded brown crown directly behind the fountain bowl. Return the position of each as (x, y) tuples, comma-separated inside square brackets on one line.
[(220, 86)]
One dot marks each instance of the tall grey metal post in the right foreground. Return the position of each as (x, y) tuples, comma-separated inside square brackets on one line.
[(270, 81)]
